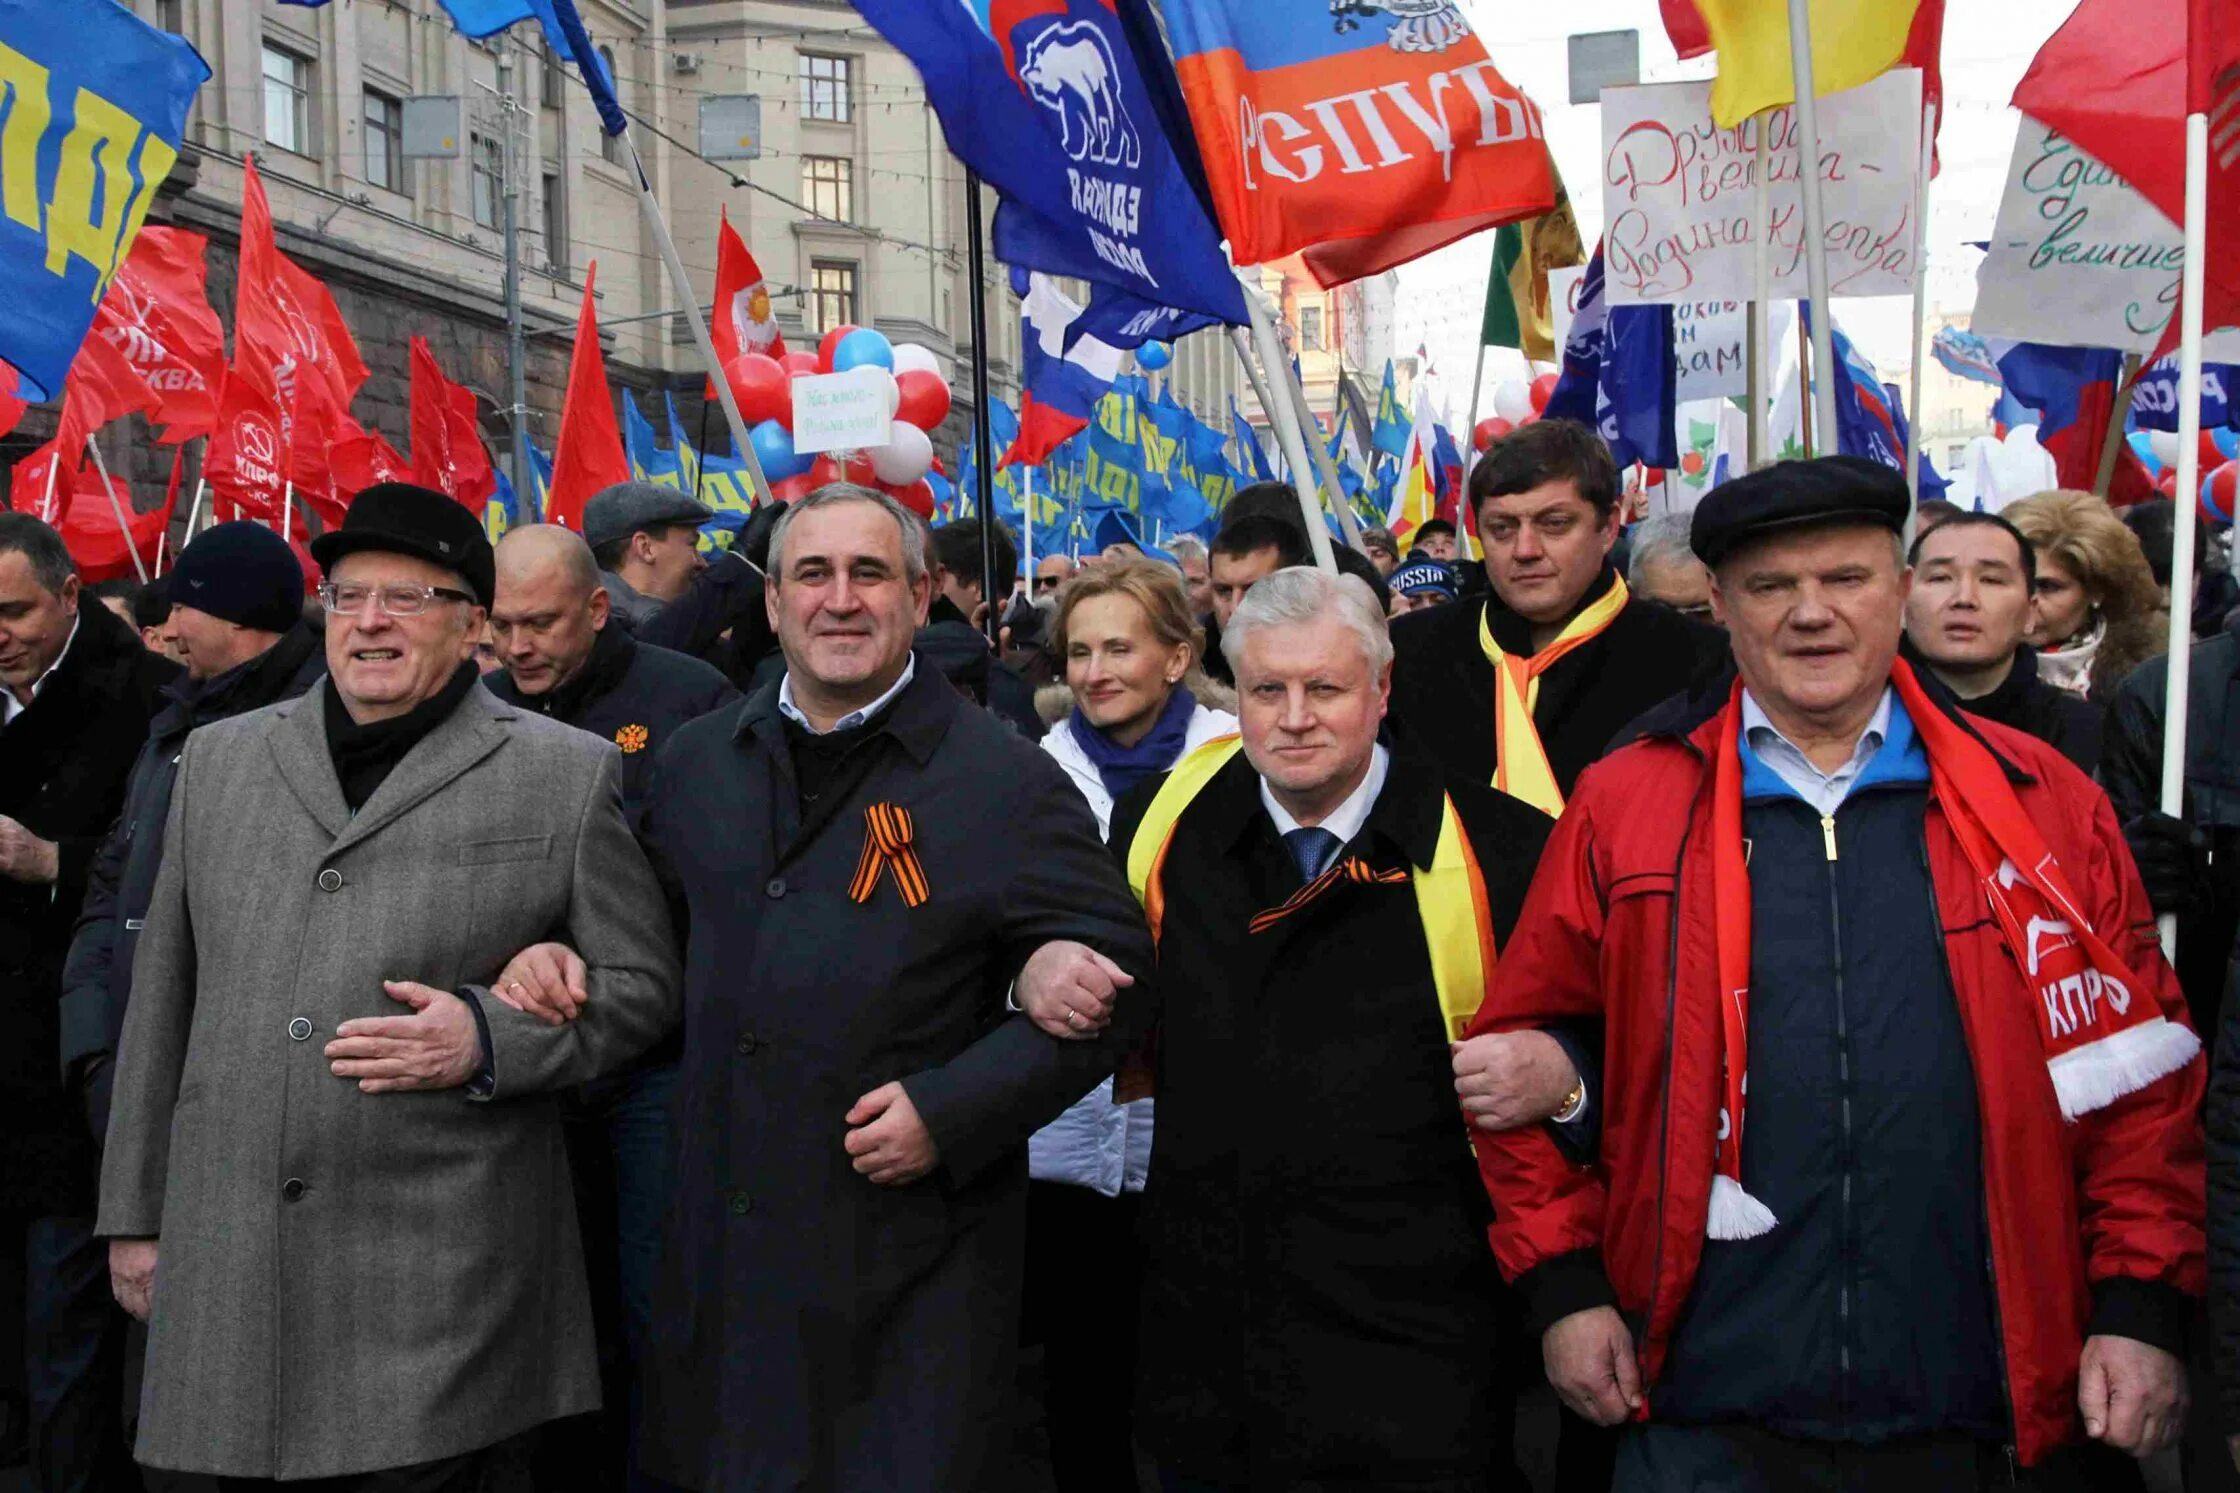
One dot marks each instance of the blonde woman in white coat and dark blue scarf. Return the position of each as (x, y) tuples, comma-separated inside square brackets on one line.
[(1130, 650)]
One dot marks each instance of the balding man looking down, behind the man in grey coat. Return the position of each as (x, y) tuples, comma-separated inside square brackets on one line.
[(568, 659)]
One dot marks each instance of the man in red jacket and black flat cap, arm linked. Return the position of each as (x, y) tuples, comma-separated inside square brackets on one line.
[(1898, 1167)]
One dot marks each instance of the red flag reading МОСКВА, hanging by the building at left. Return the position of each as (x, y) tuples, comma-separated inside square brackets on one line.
[(158, 314)]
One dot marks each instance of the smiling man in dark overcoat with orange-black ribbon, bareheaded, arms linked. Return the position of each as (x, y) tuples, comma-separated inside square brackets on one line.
[(866, 865)]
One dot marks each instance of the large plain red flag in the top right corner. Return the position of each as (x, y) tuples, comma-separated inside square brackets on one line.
[(2118, 79)]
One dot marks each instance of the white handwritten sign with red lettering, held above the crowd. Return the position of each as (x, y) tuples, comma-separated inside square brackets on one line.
[(1679, 194)]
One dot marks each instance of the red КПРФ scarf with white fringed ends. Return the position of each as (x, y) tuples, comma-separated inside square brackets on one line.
[(2102, 1035)]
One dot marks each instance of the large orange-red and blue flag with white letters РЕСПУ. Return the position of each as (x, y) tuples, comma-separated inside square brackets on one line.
[(1356, 147)]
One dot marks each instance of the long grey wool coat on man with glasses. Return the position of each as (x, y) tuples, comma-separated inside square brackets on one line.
[(362, 1281)]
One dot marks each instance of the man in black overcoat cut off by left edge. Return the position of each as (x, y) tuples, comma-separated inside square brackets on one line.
[(77, 693)]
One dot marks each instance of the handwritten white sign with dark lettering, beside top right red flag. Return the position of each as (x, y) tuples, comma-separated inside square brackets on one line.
[(2078, 256)]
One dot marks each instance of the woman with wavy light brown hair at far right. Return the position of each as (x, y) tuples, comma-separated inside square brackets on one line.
[(2098, 608)]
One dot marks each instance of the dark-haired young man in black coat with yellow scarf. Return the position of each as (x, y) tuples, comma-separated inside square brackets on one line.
[(1529, 686)]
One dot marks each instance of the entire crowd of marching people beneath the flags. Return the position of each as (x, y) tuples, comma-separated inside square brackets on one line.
[(597, 1015)]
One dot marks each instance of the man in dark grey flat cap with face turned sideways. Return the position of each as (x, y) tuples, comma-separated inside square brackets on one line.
[(646, 541)]
